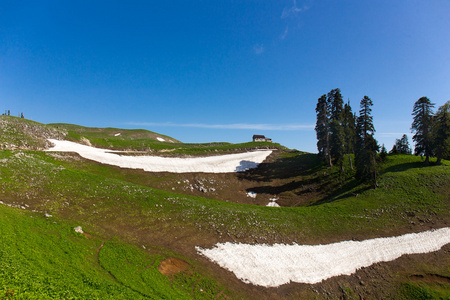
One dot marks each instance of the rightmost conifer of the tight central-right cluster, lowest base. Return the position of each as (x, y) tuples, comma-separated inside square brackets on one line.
[(366, 146)]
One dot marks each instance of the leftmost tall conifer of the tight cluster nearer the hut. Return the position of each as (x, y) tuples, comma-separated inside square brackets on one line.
[(323, 129)]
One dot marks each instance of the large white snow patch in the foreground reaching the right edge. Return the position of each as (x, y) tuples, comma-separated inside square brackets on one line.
[(272, 266)]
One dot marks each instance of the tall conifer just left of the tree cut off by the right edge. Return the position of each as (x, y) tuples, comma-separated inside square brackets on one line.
[(421, 127)]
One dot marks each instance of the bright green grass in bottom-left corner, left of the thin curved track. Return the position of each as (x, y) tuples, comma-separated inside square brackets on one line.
[(41, 259)]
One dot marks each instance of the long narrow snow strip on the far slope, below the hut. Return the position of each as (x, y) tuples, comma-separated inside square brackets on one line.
[(213, 164)]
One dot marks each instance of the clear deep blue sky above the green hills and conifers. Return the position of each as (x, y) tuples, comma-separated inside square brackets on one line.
[(204, 71)]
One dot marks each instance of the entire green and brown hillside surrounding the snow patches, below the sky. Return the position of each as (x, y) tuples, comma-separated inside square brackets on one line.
[(135, 220)]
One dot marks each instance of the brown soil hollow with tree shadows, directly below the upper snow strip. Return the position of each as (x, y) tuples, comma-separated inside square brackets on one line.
[(287, 179)]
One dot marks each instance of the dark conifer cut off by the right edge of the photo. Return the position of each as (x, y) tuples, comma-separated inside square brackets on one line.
[(441, 132)]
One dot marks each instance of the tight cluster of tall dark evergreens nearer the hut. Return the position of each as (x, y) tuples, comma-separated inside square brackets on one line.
[(341, 133)]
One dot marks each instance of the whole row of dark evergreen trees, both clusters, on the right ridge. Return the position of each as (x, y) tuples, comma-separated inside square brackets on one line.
[(341, 133)]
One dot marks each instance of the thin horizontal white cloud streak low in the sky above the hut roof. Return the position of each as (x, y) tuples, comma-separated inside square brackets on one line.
[(239, 126)]
